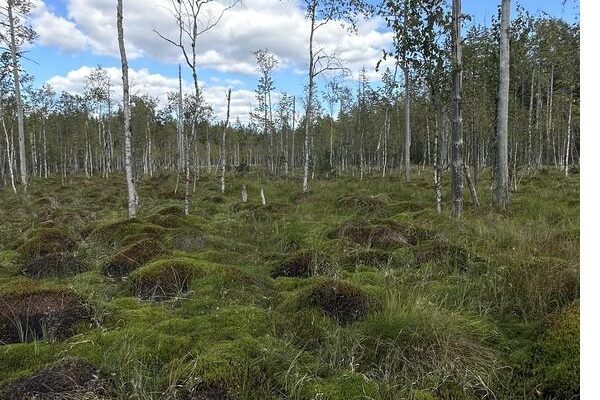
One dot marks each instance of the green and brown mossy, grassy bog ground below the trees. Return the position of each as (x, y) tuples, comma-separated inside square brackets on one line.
[(355, 290)]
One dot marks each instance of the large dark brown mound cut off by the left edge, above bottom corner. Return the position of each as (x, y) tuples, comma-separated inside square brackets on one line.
[(39, 314)]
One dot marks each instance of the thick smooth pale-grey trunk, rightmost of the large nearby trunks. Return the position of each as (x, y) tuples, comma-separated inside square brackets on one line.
[(502, 192)]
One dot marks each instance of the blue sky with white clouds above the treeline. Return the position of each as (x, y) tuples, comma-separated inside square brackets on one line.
[(75, 36)]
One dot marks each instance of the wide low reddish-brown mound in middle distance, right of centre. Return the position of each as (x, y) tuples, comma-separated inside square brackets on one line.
[(380, 234)]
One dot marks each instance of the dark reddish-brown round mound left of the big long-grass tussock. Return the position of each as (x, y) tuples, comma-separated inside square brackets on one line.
[(340, 300)]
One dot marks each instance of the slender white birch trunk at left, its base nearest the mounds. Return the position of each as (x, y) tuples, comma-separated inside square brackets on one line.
[(131, 192)]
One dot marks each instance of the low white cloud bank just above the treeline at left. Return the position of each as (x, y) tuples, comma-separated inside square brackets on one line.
[(158, 86)]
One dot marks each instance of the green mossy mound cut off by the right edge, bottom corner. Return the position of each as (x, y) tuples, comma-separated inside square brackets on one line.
[(556, 355)]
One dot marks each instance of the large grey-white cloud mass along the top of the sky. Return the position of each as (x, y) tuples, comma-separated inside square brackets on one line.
[(277, 25)]
